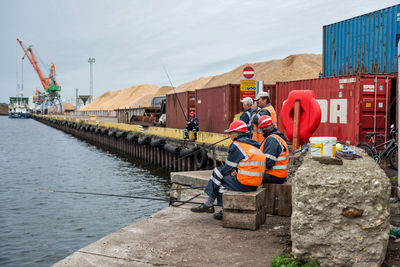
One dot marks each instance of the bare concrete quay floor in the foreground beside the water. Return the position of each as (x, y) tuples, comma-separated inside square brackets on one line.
[(175, 236)]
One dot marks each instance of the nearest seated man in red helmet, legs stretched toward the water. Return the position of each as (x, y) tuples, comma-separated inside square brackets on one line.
[(243, 170)]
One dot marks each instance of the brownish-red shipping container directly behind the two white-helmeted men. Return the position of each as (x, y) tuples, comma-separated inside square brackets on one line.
[(216, 106)]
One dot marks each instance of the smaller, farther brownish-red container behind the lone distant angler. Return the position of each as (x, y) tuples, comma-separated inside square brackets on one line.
[(174, 111)]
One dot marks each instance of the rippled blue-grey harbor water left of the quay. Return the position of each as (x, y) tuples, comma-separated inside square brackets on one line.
[(39, 228)]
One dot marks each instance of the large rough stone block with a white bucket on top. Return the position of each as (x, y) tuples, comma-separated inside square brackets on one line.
[(340, 213)]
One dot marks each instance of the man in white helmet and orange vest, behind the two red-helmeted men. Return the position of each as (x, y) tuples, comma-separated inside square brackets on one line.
[(265, 108)]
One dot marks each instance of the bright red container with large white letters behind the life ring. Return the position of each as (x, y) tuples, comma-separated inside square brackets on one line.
[(351, 106)]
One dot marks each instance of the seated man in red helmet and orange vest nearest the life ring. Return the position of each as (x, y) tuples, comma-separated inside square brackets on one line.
[(276, 151)]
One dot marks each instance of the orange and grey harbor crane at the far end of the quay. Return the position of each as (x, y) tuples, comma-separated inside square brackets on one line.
[(51, 94)]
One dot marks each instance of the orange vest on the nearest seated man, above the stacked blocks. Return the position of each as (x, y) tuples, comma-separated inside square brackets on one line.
[(251, 168)]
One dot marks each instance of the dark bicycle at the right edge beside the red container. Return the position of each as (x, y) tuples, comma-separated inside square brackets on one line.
[(387, 149)]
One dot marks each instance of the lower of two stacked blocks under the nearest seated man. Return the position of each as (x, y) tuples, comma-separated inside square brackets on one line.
[(250, 220)]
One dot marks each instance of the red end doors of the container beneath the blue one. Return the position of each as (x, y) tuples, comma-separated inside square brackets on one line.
[(374, 106)]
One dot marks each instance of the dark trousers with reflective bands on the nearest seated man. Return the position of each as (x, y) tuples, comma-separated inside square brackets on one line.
[(219, 184)]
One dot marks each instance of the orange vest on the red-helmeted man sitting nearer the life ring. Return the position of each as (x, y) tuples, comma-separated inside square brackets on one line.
[(280, 169)]
